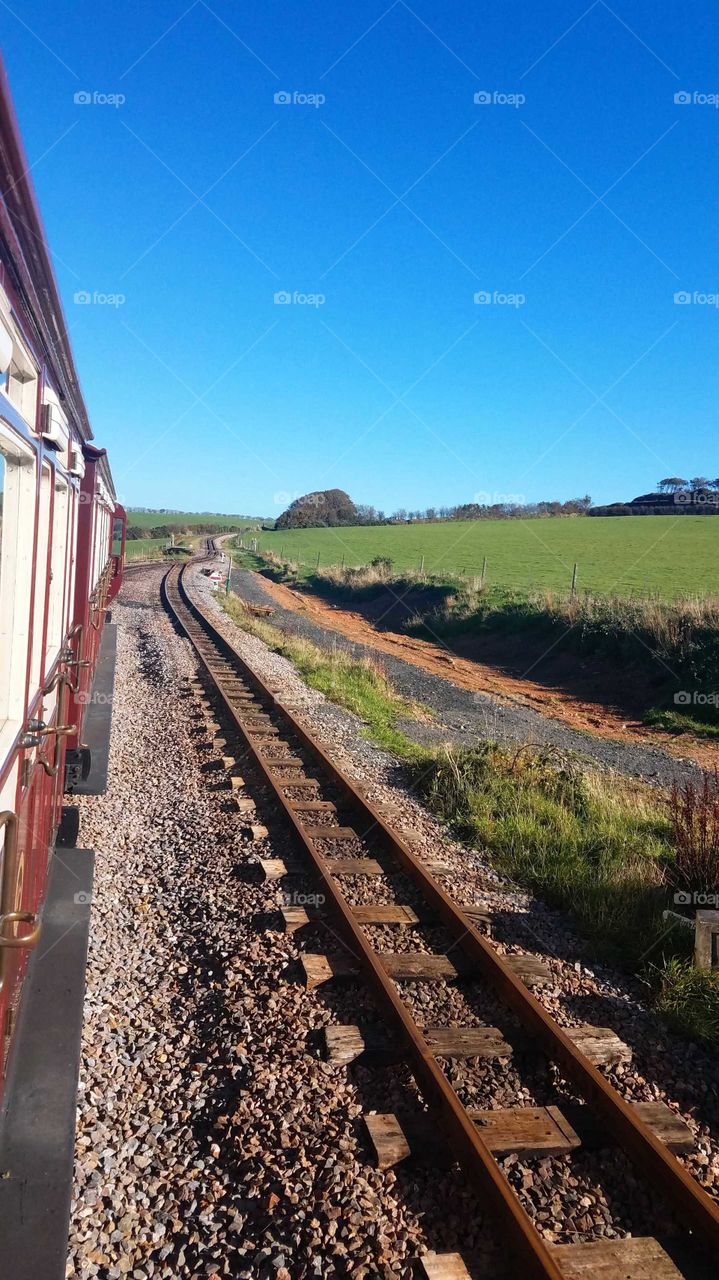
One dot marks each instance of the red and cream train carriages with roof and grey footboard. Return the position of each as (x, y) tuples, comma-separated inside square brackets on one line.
[(59, 520)]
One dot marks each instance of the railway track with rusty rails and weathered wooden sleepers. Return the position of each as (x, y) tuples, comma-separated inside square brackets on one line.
[(347, 835)]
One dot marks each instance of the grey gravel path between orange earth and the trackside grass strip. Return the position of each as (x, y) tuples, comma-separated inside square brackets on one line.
[(465, 716)]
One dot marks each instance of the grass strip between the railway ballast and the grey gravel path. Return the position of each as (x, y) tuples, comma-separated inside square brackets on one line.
[(601, 849)]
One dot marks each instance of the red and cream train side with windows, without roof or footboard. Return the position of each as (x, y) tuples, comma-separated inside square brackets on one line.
[(58, 574)]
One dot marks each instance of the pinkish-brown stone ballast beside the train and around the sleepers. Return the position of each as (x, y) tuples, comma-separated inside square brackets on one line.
[(213, 1141)]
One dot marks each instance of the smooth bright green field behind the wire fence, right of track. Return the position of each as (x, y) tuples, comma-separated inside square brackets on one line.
[(662, 556)]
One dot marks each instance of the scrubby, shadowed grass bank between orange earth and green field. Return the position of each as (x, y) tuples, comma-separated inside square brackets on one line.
[(677, 639)]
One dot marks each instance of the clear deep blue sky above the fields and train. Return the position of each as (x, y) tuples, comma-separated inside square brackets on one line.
[(397, 199)]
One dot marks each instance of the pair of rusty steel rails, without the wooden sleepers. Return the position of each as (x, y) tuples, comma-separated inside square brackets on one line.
[(648, 1151)]
